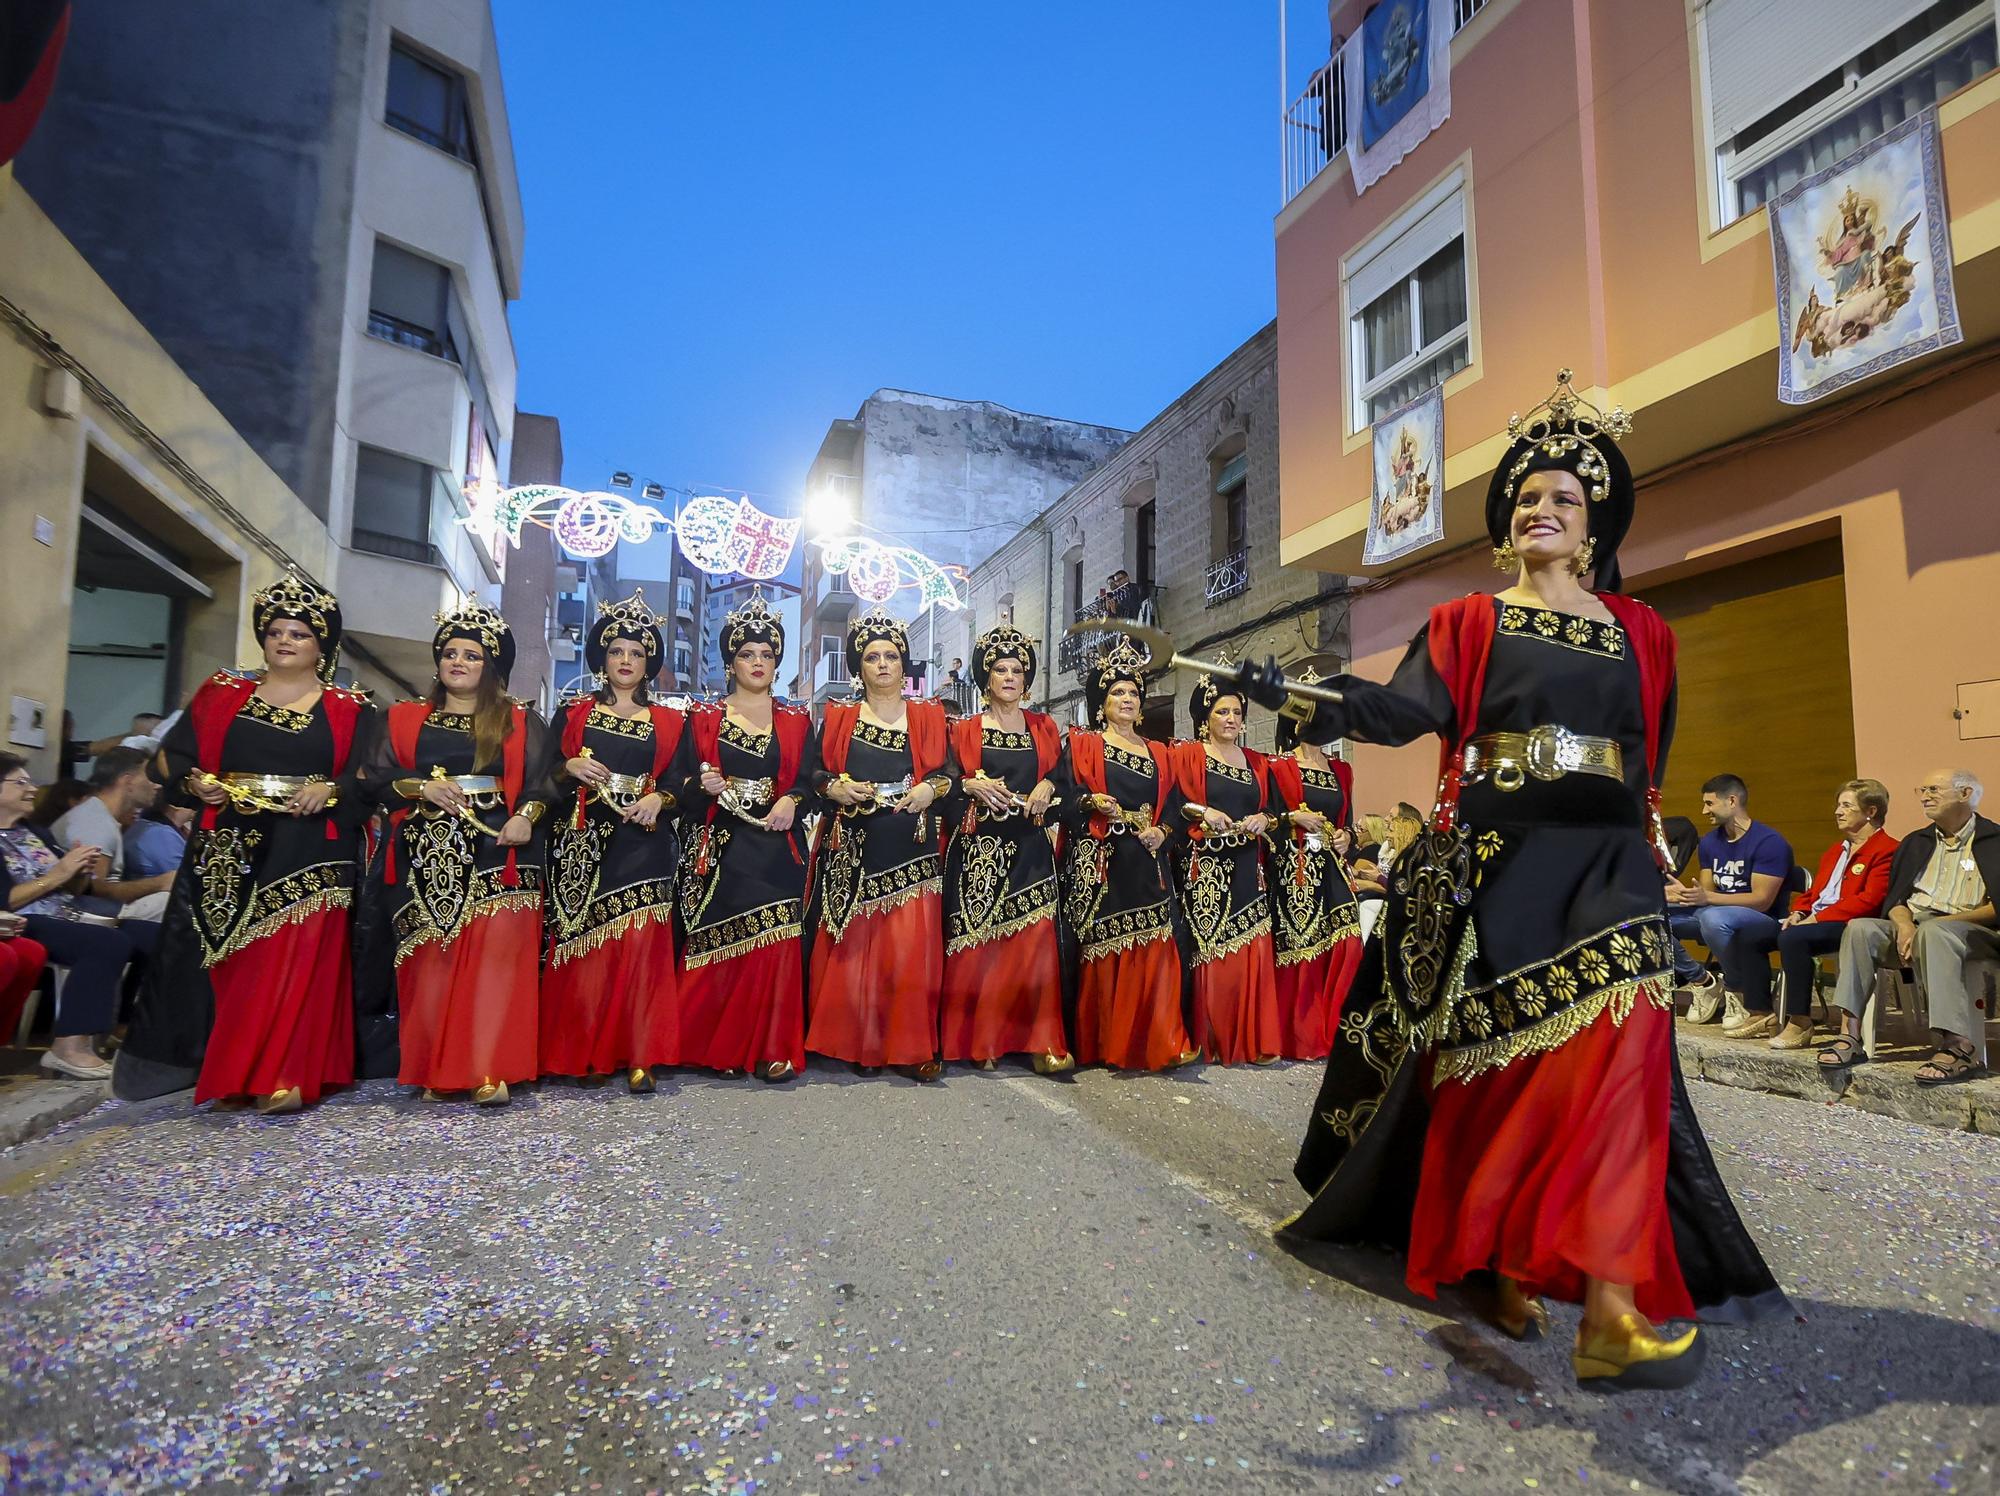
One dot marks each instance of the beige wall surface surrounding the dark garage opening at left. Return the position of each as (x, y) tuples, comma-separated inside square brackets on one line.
[(233, 547)]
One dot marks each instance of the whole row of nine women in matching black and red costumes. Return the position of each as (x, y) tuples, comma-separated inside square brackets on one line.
[(465, 897)]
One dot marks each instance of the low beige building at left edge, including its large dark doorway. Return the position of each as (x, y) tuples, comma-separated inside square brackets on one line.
[(137, 521)]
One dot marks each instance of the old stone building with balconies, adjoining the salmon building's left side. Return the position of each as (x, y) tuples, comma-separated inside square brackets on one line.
[(1189, 513)]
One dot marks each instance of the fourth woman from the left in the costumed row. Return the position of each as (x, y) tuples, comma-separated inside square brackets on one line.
[(743, 877)]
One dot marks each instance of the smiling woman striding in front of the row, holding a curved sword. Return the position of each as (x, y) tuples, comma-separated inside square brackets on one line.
[(1503, 1095)]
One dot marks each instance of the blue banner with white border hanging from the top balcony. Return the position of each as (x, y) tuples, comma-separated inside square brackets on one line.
[(1397, 73)]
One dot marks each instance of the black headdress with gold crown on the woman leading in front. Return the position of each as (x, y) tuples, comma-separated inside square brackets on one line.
[(1571, 435)]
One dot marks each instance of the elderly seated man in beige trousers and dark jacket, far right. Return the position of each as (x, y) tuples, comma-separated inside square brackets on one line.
[(1939, 921)]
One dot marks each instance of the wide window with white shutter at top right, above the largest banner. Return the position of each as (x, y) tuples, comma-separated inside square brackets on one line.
[(1799, 85)]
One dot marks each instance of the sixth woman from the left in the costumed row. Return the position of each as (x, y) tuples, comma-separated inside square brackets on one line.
[(1003, 967)]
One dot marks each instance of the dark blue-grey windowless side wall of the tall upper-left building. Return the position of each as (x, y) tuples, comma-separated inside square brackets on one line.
[(211, 187)]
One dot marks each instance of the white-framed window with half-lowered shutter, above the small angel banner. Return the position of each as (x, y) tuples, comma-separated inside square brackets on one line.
[(1409, 305)]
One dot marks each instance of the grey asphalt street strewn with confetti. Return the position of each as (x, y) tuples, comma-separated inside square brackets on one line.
[(995, 1285)]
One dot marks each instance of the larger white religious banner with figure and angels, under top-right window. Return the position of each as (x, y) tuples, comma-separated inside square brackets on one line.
[(1863, 259)]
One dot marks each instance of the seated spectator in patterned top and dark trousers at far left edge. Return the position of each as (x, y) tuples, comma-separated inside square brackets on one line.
[(43, 885)]
